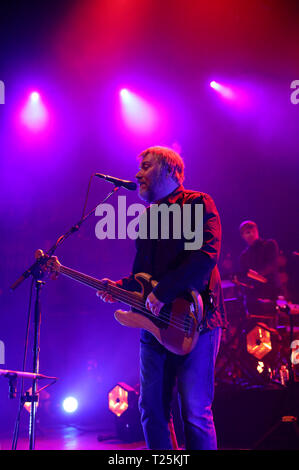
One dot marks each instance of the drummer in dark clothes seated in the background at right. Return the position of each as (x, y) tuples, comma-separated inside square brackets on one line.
[(259, 261)]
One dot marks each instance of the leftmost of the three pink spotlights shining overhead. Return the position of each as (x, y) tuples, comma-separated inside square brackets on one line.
[(34, 114)]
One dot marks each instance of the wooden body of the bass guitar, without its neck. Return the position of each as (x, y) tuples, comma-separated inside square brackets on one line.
[(177, 326)]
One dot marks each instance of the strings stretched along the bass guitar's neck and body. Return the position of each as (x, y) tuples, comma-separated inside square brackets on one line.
[(122, 295)]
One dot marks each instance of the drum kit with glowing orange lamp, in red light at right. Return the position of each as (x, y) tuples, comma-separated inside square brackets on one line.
[(256, 348)]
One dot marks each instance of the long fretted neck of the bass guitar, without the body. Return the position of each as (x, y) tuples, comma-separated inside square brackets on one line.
[(118, 293)]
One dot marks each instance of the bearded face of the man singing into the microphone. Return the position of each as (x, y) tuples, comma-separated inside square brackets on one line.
[(151, 178)]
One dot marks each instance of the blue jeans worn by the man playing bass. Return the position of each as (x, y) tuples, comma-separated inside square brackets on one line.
[(160, 371)]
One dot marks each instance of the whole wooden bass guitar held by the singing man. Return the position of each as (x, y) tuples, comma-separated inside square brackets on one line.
[(178, 324)]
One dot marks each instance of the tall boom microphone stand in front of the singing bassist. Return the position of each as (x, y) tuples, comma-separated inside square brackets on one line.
[(37, 272)]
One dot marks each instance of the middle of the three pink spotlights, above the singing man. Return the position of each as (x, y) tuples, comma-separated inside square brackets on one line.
[(139, 115)]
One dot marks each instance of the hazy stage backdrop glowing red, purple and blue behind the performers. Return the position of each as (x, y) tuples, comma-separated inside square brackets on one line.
[(79, 55)]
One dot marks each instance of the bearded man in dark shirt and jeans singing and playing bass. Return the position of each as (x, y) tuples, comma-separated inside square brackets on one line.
[(176, 270)]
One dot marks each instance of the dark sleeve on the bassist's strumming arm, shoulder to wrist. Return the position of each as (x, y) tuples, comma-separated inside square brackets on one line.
[(196, 266)]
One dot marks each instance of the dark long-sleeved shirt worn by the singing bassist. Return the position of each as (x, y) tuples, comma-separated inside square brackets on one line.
[(177, 269)]
